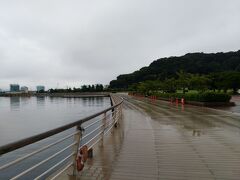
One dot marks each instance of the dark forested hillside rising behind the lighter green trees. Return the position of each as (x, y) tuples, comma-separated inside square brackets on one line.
[(194, 63)]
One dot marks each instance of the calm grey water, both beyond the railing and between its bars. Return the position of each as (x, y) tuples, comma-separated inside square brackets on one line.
[(22, 117)]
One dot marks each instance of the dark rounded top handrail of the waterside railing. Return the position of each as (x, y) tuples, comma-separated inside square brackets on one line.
[(30, 140)]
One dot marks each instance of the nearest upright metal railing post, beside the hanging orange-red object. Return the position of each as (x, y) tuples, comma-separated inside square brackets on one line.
[(77, 138)]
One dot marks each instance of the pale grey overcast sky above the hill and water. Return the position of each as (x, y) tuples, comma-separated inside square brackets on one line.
[(60, 43)]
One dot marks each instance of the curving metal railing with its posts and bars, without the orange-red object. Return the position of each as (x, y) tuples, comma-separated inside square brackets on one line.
[(88, 131)]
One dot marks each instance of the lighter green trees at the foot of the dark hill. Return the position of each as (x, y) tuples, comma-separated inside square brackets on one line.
[(216, 82)]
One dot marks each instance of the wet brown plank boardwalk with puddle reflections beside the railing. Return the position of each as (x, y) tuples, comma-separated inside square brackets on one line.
[(156, 140)]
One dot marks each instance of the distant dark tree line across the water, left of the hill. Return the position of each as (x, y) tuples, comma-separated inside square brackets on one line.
[(84, 88)]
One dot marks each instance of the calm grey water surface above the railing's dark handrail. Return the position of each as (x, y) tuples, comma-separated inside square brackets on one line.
[(23, 116)]
